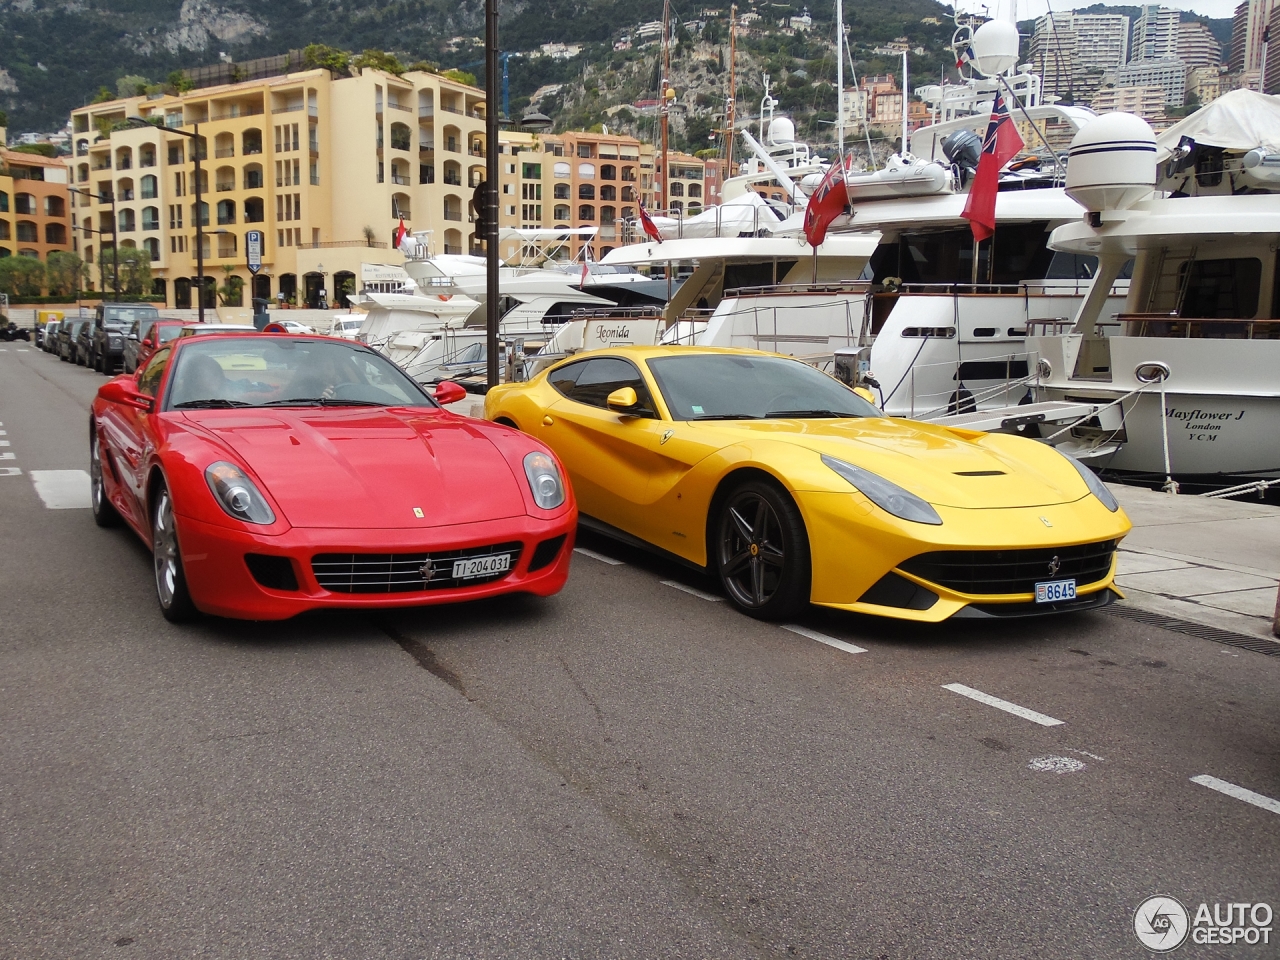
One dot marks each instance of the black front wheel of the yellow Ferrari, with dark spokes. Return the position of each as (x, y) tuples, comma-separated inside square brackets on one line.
[(761, 551)]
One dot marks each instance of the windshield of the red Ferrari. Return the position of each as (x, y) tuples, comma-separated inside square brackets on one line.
[(266, 372)]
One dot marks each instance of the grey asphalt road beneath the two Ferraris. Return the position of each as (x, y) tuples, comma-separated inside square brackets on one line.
[(627, 770)]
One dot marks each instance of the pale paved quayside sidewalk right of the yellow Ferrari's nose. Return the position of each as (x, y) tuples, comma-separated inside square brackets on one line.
[(1209, 561)]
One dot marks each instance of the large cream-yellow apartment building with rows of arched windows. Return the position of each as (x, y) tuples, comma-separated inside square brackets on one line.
[(324, 167)]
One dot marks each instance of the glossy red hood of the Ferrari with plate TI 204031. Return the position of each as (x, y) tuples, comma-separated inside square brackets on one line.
[(371, 469)]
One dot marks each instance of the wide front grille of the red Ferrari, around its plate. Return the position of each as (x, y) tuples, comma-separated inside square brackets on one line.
[(405, 573)]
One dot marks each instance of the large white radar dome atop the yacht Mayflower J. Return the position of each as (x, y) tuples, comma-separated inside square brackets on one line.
[(1112, 164)]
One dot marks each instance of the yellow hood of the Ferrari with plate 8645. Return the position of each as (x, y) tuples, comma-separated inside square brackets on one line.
[(947, 468)]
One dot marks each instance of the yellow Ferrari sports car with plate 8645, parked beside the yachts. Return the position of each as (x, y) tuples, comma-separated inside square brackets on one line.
[(794, 490)]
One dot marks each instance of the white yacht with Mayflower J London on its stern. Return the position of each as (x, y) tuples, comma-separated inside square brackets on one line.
[(1186, 378)]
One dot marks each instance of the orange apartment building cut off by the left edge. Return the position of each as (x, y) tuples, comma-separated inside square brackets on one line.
[(35, 220)]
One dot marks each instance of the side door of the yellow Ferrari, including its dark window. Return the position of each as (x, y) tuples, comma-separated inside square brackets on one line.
[(610, 456)]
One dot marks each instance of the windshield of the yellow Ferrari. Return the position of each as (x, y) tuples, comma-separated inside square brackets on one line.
[(742, 387)]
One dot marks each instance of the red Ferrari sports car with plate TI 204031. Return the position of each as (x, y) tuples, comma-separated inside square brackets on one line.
[(273, 474)]
